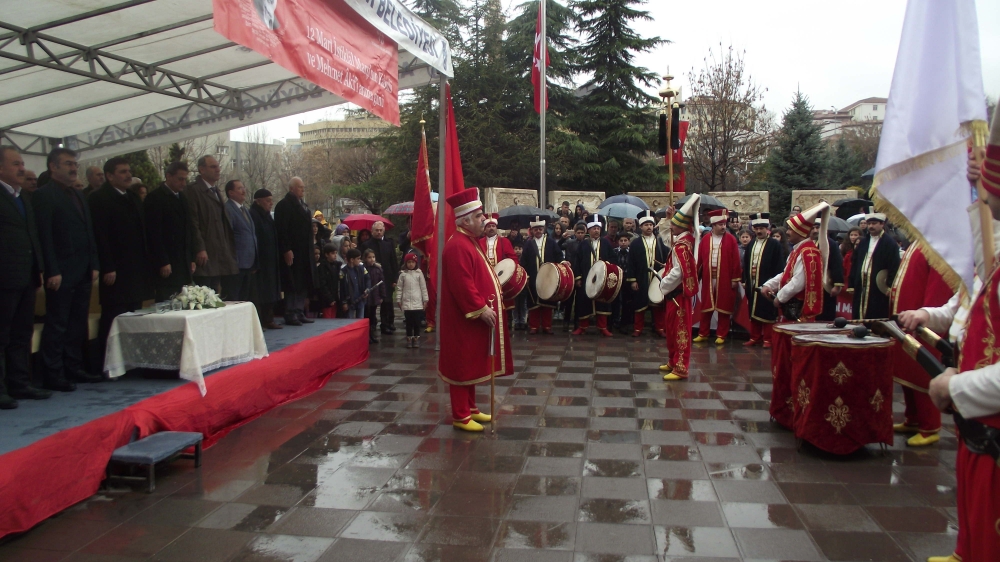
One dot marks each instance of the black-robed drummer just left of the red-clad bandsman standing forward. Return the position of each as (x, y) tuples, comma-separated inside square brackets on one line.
[(647, 254)]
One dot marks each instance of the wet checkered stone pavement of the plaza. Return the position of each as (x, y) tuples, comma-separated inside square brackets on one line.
[(595, 459)]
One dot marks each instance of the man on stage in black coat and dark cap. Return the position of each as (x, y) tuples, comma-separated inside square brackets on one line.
[(268, 282)]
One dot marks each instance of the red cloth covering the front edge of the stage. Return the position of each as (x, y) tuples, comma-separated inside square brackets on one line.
[(58, 471)]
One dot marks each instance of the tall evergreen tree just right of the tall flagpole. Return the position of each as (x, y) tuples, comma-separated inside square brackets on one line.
[(615, 114)]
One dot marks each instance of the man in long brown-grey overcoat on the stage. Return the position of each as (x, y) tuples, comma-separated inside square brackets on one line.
[(215, 256)]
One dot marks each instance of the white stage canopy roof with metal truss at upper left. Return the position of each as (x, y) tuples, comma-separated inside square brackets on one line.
[(105, 77)]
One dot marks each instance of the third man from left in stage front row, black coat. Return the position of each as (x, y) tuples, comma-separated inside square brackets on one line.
[(120, 233)]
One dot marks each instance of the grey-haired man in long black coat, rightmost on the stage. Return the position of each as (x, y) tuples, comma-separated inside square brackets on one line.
[(293, 222)]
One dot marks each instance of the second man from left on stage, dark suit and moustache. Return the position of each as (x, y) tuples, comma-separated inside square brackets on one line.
[(69, 253)]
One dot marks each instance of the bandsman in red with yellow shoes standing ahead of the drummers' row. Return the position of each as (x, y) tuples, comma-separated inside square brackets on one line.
[(679, 285)]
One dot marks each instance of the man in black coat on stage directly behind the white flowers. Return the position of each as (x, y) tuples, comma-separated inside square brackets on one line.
[(168, 233)]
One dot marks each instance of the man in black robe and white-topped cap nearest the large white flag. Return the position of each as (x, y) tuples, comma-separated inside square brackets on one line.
[(873, 269)]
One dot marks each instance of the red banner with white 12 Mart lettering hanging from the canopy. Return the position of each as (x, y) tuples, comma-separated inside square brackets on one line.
[(323, 41)]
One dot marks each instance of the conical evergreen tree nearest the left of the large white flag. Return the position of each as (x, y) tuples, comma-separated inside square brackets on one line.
[(799, 159)]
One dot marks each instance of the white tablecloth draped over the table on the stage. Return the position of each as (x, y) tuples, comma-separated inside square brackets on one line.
[(191, 341)]
